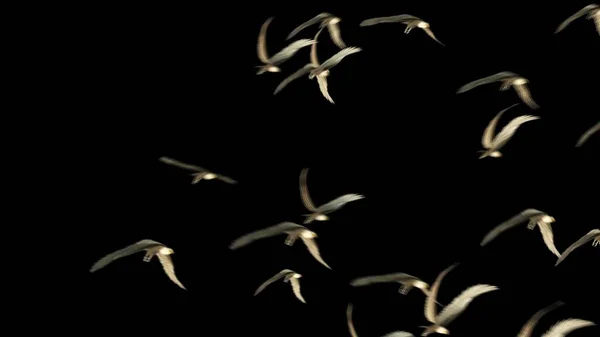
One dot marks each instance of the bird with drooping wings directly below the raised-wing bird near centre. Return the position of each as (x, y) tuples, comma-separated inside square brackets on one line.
[(293, 231)]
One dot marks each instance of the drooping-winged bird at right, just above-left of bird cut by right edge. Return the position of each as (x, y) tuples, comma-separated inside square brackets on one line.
[(534, 217)]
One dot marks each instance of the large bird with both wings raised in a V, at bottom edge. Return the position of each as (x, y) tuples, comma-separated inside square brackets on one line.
[(439, 322)]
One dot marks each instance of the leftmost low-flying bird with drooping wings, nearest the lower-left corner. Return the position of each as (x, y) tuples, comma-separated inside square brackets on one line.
[(152, 248)]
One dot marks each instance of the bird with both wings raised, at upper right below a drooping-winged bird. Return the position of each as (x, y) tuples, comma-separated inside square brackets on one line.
[(492, 144)]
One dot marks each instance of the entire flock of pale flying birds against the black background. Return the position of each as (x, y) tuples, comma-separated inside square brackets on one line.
[(491, 142)]
